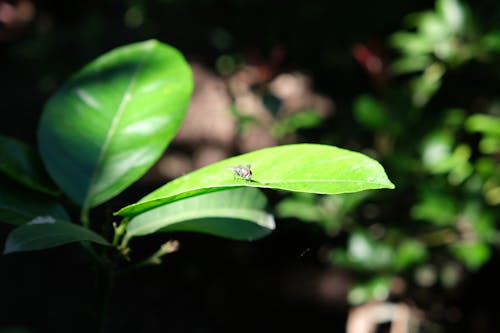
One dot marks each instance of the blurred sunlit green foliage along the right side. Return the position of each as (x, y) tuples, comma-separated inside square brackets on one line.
[(443, 154)]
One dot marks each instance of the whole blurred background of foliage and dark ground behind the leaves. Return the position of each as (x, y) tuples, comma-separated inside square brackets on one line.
[(415, 85)]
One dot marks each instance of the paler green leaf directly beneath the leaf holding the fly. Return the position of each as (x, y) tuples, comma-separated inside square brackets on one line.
[(235, 214)]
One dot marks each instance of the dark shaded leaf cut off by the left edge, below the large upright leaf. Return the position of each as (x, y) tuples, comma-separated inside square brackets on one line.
[(21, 163)]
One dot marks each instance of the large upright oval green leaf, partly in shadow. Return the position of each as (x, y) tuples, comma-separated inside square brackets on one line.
[(104, 129)]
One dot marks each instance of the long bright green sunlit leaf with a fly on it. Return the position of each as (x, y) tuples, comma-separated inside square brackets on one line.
[(302, 168)]
